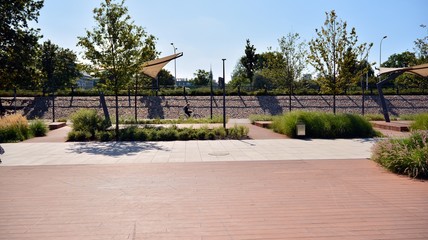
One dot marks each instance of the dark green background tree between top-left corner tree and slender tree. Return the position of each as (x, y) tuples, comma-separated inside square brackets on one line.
[(58, 67)]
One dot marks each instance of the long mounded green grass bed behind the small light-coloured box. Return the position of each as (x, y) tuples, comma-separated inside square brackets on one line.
[(323, 125)]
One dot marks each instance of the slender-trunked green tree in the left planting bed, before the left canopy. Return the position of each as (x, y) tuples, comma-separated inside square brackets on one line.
[(115, 47)]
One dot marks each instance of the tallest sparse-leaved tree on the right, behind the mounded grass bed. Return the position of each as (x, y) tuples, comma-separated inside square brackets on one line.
[(330, 54)]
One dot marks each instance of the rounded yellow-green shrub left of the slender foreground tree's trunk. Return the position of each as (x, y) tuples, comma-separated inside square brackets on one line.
[(87, 120)]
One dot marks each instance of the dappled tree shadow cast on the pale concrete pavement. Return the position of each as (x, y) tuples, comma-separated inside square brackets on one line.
[(115, 149)]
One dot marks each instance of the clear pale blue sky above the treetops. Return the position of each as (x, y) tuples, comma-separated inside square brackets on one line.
[(207, 31)]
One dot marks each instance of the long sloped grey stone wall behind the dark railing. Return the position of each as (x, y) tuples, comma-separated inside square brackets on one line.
[(236, 106)]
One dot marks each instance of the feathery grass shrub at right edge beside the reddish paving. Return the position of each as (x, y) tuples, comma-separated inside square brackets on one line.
[(407, 156)]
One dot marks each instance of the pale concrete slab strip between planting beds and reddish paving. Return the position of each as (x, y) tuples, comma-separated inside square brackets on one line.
[(21, 154)]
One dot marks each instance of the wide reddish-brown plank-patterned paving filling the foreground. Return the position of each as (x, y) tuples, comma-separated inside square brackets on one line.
[(329, 199)]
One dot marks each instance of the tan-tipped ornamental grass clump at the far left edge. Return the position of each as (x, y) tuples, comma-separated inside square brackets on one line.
[(13, 128)]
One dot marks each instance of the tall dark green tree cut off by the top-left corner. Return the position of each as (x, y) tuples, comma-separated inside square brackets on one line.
[(18, 42)]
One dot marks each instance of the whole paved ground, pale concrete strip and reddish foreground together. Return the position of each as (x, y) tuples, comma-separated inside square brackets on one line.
[(252, 189)]
